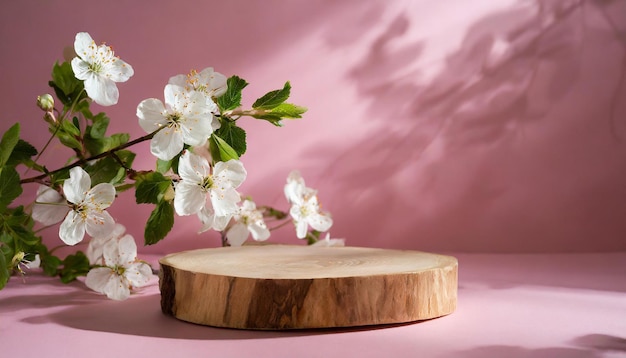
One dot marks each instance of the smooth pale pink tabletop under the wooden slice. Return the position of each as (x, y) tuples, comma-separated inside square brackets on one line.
[(514, 306)]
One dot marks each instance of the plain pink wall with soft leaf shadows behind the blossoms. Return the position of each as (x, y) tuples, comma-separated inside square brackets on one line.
[(432, 125)]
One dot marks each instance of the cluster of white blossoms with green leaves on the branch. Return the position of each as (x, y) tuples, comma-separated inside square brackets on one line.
[(199, 172)]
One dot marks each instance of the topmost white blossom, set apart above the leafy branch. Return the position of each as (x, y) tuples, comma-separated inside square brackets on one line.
[(99, 68)]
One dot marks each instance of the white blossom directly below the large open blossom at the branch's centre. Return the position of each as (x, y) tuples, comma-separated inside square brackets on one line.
[(200, 188)]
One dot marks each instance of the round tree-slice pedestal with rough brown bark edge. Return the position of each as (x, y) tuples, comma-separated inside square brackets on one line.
[(275, 287)]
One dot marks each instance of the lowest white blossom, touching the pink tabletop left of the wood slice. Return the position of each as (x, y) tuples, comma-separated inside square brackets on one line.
[(121, 271)]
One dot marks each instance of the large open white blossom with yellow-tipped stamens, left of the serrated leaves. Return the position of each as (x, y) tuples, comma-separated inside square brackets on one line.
[(185, 118)]
